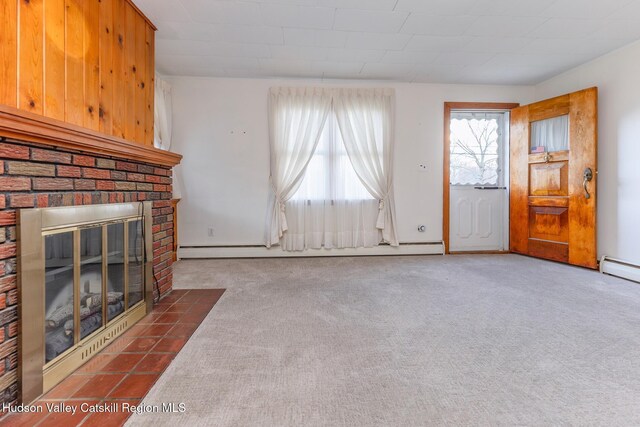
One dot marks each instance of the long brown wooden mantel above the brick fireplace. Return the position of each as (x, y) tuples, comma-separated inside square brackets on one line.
[(29, 127)]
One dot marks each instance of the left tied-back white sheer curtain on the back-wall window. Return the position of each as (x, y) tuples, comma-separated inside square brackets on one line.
[(296, 119)]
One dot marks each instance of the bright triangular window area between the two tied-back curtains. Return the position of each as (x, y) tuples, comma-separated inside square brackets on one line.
[(330, 174)]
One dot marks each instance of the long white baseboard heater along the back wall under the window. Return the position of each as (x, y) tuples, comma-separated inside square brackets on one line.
[(256, 251)]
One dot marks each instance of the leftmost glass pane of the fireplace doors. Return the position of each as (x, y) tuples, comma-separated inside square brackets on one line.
[(59, 307)]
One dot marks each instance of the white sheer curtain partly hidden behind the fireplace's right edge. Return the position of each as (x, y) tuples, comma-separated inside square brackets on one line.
[(162, 114)]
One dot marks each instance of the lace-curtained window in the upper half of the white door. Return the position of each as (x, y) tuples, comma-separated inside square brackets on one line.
[(477, 148)]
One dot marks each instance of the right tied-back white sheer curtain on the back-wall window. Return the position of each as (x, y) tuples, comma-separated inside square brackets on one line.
[(366, 121)]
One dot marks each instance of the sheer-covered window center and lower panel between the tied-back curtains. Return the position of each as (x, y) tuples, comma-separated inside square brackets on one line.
[(331, 208)]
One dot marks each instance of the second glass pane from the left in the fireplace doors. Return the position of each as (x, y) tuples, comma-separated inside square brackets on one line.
[(90, 280)]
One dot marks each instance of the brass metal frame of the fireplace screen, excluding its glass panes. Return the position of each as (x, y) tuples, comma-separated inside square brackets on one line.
[(37, 375)]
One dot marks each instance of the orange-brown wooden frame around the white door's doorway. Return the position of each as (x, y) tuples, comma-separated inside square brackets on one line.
[(446, 178)]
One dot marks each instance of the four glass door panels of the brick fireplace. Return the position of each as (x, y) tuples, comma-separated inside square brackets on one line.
[(75, 307)]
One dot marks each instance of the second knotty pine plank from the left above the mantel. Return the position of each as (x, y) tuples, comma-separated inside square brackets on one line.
[(31, 53)]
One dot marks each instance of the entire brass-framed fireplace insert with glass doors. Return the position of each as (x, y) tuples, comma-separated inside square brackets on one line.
[(85, 278)]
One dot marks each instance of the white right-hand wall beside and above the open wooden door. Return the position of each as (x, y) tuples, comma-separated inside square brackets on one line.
[(617, 76)]
